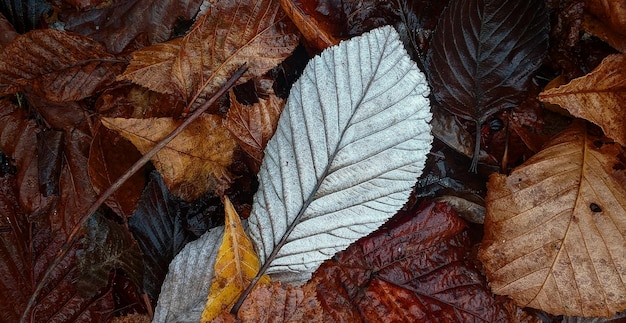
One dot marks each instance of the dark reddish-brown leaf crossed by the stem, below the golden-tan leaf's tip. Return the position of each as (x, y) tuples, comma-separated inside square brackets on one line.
[(109, 158)]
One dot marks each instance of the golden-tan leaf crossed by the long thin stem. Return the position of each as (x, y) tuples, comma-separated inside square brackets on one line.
[(194, 162)]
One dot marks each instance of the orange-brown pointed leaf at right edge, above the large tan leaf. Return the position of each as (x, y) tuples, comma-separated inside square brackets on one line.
[(599, 97)]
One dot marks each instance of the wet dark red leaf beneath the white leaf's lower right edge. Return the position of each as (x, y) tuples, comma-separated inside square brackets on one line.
[(412, 270)]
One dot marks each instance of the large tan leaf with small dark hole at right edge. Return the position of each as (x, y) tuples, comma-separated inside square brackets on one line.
[(555, 229)]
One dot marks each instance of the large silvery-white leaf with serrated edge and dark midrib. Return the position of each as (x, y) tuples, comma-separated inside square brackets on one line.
[(349, 146)]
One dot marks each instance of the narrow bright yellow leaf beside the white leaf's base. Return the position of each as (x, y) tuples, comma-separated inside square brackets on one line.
[(236, 265)]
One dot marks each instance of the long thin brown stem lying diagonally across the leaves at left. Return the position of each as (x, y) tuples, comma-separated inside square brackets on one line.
[(72, 237)]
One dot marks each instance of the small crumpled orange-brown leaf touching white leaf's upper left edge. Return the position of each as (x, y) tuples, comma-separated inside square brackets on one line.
[(253, 126)]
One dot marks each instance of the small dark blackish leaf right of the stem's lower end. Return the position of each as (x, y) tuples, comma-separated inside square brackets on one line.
[(106, 246)]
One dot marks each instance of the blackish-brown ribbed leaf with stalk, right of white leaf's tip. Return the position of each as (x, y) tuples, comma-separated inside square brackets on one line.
[(482, 55)]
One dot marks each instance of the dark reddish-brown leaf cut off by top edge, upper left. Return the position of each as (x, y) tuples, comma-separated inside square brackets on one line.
[(130, 25)]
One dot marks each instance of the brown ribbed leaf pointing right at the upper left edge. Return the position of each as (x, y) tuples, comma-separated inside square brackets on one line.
[(59, 66)]
